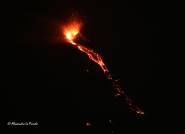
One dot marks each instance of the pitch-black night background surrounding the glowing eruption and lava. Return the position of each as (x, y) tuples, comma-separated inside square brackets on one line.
[(46, 81)]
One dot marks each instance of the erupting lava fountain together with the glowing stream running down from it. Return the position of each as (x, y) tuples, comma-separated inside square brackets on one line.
[(70, 31)]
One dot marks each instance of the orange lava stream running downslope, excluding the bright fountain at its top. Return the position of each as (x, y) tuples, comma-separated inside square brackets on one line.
[(98, 59)]
